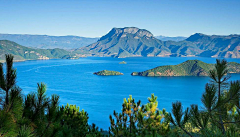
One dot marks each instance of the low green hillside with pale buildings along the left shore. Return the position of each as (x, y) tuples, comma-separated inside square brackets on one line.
[(22, 53)]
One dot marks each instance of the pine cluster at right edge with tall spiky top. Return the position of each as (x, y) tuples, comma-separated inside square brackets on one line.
[(220, 115)]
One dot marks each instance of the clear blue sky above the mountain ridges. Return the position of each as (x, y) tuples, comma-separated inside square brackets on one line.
[(94, 18)]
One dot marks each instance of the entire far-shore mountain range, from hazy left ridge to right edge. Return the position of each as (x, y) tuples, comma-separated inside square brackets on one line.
[(135, 42)]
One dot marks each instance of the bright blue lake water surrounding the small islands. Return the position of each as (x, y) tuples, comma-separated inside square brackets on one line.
[(74, 81)]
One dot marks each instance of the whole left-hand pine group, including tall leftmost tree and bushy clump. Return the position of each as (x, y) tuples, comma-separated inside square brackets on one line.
[(37, 114)]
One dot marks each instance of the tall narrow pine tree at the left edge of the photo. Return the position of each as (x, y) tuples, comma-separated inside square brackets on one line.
[(11, 102)]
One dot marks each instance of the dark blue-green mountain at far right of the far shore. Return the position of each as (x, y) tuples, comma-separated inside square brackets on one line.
[(216, 45)]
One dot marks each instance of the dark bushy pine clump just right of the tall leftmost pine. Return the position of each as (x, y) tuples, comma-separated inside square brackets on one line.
[(46, 118)]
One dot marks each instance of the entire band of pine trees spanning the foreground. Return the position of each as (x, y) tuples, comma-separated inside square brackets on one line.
[(36, 115)]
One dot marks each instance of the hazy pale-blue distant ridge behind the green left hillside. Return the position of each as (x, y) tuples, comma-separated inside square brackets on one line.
[(49, 42)]
